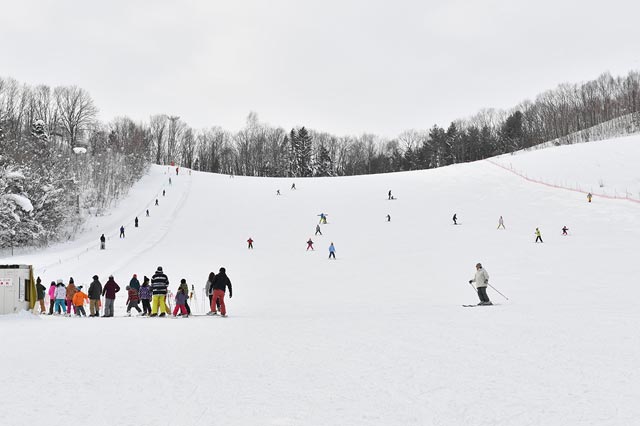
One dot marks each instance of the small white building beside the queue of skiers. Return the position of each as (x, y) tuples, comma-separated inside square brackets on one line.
[(17, 288)]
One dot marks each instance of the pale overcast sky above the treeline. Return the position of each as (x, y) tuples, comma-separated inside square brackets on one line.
[(342, 66)]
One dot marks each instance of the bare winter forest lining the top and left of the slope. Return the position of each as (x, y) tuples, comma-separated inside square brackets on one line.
[(58, 162)]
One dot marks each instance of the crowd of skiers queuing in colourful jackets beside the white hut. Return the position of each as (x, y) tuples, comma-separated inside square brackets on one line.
[(70, 299)]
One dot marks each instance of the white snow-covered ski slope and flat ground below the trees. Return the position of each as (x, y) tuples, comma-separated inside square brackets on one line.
[(376, 337)]
